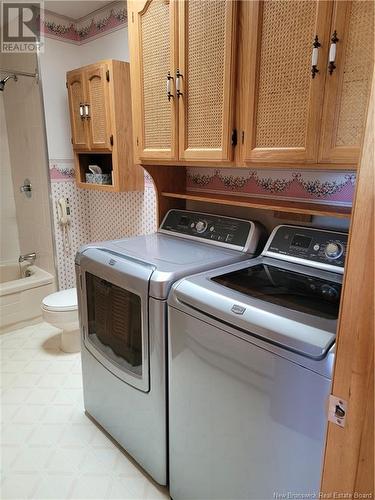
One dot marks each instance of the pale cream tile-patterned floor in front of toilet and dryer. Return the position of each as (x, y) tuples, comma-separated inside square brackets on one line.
[(50, 448)]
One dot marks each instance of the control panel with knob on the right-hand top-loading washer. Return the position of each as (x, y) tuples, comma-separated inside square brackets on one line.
[(315, 246)]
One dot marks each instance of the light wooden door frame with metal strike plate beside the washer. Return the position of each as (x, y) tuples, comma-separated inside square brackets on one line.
[(349, 454)]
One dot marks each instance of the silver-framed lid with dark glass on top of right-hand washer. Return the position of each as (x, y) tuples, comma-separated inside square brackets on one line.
[(297, 331)]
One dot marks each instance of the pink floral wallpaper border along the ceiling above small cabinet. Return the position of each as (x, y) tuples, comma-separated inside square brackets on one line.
[(93, 26)]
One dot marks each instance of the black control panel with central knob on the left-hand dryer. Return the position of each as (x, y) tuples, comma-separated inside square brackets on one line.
[(225, 231)]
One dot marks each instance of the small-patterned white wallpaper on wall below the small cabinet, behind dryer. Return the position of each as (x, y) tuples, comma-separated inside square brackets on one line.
[(96, 216)]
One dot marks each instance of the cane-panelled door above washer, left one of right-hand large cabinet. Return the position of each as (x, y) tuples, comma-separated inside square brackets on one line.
[(283, 95)]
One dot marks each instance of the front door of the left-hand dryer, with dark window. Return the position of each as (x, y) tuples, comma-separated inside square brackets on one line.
[(114, 314)]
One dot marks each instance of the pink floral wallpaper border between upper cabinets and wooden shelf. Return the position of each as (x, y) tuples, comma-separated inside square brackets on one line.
[(336, 188)]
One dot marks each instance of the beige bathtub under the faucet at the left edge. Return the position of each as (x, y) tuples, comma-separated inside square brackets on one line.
[(20, 297)]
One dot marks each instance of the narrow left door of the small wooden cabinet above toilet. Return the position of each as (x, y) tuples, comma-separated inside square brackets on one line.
[(76, 96)]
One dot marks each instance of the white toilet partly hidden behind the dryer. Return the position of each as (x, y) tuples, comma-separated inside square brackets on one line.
[(60, 309)]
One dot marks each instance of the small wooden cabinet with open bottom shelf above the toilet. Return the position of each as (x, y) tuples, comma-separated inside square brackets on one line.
[(101, 123)]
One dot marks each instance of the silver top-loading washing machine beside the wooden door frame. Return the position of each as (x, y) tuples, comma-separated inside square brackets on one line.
[(251, 352)]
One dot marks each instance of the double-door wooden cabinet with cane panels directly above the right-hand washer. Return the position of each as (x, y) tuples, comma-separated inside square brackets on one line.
[(294, 113)]
